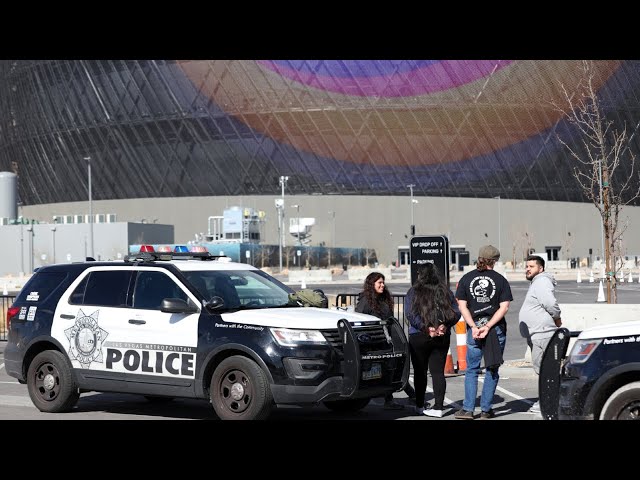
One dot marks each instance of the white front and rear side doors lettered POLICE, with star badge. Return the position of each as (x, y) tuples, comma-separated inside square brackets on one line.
[(109, 337)]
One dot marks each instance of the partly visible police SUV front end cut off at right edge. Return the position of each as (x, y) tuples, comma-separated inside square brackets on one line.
[(599, 379)]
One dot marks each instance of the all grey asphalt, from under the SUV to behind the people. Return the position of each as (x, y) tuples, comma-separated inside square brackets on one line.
[(517, 388)]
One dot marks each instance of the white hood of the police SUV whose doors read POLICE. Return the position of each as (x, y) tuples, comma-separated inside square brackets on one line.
[(302, 317)]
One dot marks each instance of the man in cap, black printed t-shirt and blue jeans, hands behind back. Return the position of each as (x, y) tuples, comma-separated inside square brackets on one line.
[(483, 298)]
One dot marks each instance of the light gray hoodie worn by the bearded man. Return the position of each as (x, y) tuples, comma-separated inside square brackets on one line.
[(540, 307)]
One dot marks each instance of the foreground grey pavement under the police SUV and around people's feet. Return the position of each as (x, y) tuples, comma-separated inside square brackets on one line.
[(517, 390)]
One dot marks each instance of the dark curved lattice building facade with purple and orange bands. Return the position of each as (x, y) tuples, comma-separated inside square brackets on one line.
[(475, 129)]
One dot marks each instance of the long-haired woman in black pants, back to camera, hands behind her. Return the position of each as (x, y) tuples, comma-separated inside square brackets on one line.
[(432, 310)]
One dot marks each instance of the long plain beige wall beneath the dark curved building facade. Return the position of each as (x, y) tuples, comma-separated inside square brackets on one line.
[(381, 222)]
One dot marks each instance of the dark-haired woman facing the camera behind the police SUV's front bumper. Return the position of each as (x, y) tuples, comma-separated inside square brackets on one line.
[(375, 299)]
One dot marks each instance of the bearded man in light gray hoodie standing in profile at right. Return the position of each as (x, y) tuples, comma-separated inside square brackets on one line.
[(540, 314)]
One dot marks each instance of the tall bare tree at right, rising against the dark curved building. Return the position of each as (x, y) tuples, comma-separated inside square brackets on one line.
[(602, 149)]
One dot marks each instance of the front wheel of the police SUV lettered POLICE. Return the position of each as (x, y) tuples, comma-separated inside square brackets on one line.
[(257, 399)]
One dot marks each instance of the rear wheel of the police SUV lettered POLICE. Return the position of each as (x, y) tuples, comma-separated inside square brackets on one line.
[(65, 393)]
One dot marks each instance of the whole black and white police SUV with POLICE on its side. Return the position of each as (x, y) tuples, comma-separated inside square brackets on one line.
[(193, 325)]
